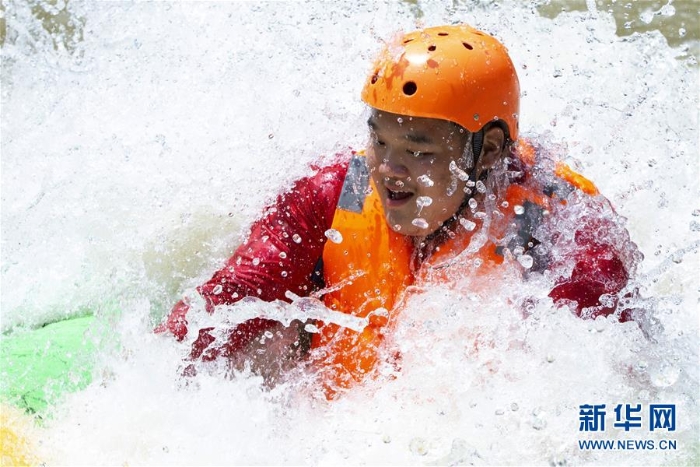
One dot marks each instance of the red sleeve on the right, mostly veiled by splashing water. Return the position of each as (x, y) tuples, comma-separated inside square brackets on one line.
[(599, 269)]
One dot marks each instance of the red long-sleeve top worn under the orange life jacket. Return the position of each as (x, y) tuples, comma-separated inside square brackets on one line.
[(284, 247)]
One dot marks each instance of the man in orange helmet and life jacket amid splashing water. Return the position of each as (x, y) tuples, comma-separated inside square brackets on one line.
[(445, 189)]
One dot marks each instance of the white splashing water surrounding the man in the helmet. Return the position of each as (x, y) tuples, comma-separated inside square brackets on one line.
[(139, 151)]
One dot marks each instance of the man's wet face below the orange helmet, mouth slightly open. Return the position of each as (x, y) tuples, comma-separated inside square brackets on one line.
[(418, 166)]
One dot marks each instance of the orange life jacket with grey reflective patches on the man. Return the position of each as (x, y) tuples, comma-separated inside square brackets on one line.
[(367, 272)]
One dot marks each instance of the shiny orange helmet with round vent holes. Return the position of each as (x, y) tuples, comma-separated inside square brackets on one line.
[(453, 73)]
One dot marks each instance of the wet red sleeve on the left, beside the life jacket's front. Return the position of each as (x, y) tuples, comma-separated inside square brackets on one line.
[(280, 254)]
